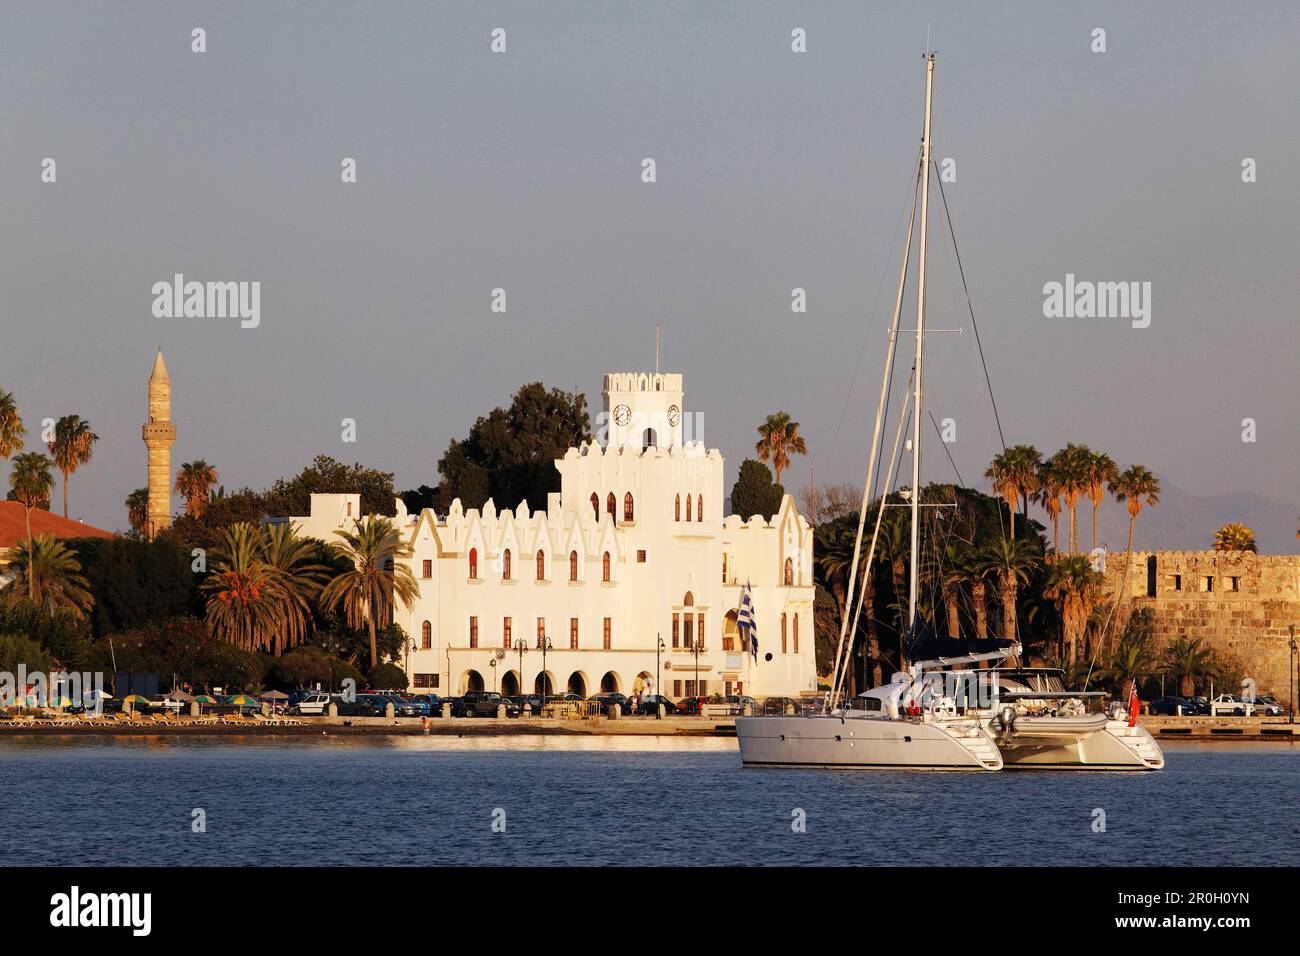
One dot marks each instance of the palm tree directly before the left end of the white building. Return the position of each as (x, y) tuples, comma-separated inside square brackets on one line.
[(376, 582)]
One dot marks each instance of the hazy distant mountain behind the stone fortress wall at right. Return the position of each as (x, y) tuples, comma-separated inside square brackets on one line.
[(1184, 522)]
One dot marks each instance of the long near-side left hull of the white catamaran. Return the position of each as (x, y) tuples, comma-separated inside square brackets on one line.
[(865, 743)]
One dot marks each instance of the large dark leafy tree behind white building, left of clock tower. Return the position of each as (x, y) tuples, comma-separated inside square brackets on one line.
[(510, 453)]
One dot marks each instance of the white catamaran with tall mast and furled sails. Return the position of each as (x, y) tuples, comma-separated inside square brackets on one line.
[(939, 713)]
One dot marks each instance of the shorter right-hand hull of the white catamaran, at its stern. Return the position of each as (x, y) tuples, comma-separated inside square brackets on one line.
[(1115, 746)]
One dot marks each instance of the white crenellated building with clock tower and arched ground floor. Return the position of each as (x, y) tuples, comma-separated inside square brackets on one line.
[(632, 551)]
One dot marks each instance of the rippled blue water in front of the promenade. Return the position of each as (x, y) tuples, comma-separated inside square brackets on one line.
[(431, 801)]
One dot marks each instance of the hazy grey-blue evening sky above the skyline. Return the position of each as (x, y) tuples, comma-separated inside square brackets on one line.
[(775, 171)]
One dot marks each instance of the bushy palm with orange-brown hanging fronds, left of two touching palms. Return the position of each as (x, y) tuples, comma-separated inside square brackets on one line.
[(245, 599)]
